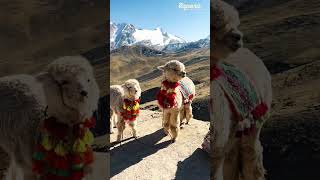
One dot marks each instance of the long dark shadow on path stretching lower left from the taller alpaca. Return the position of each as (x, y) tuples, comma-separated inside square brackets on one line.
[(134, 151)]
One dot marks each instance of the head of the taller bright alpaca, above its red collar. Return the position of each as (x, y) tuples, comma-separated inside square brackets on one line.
[(173, 71)]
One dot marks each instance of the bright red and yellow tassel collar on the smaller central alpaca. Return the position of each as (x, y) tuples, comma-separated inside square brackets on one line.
[(130, 109)]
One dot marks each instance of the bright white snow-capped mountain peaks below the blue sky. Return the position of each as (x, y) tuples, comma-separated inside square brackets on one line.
[(124, 34)]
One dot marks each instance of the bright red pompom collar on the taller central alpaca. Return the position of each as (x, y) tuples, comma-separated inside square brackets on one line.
[(167, 94)]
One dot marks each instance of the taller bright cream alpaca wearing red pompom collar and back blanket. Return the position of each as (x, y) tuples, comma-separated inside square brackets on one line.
[(176, 108)]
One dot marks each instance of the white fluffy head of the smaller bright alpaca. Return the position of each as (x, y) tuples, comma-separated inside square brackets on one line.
[(132, 89)]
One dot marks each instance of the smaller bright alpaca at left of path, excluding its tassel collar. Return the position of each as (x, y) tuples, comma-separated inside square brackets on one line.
[(131, 91)]
